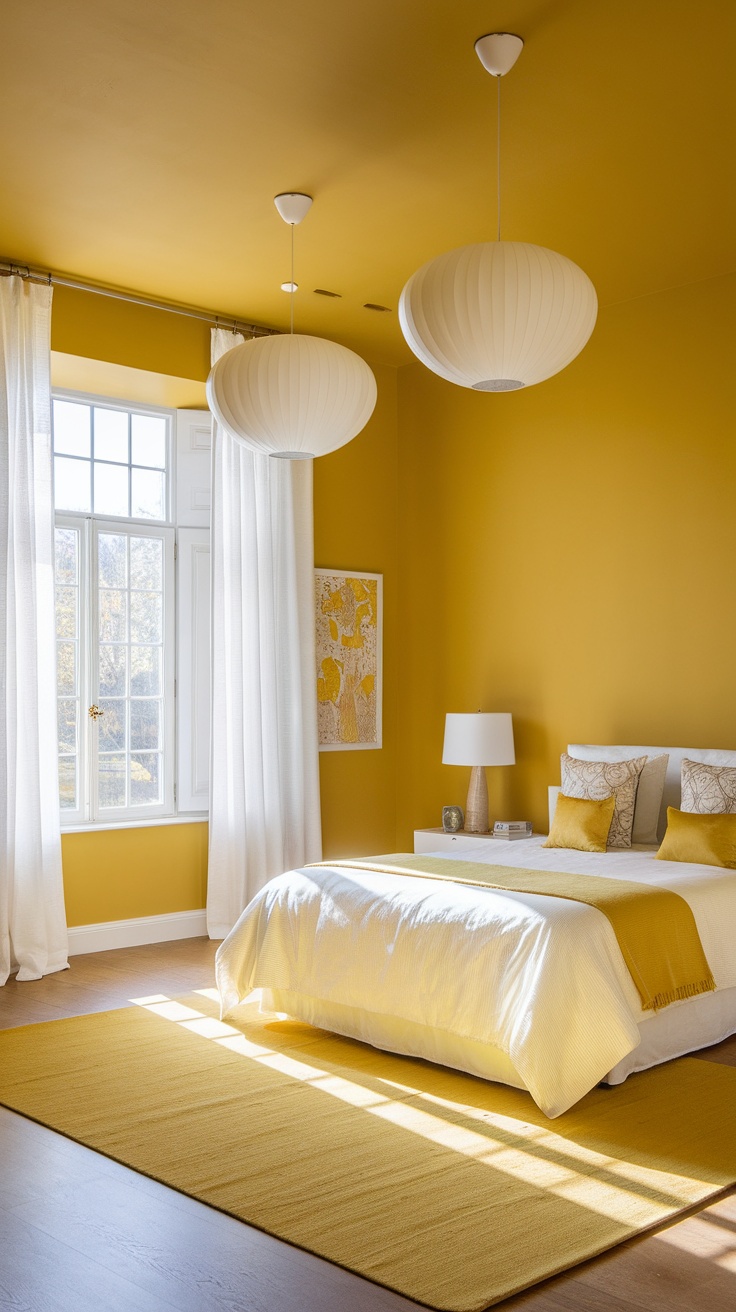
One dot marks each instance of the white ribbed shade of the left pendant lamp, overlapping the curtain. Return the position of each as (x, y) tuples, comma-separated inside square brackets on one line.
[(292, 396)]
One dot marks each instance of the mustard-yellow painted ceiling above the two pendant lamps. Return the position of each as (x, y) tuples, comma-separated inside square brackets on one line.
[(144, 141)]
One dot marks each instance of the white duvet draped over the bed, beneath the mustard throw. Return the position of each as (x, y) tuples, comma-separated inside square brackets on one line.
[(540, 978)]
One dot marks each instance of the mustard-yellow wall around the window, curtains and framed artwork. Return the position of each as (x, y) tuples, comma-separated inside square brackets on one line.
[(121, 874)]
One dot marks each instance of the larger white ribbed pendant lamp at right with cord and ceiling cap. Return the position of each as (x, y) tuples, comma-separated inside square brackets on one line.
[(498, 316)]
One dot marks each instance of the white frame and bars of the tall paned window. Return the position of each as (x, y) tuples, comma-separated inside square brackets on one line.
[(90, 525)]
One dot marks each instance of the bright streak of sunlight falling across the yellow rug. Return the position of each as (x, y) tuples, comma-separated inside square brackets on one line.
[(546, 1160)]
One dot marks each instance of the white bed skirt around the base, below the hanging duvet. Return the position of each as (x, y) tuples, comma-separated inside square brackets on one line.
[(674, 1033)]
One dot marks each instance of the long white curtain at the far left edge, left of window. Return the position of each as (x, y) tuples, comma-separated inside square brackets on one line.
[(33, 932)]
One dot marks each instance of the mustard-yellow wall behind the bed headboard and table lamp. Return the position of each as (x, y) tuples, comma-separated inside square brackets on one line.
[(567, 553)]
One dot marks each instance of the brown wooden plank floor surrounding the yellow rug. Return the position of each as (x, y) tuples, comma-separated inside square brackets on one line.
[(79, 1233)]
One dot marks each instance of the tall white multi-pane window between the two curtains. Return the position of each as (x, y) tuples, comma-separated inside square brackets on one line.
[(115, 611)]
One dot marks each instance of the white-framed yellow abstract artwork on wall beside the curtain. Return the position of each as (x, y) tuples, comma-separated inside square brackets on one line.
[(350, 617)]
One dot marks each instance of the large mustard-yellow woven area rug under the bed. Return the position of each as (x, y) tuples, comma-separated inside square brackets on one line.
[(451, 1191)]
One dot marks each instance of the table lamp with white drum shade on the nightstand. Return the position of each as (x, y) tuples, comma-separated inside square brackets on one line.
[(478, 741)]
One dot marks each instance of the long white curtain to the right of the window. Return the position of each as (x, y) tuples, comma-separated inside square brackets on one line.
[(264, 790)]
